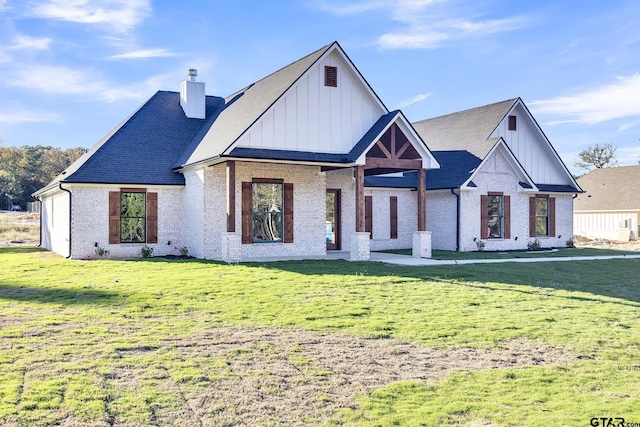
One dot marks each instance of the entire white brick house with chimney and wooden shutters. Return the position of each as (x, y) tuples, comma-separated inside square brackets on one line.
[(306, 160)]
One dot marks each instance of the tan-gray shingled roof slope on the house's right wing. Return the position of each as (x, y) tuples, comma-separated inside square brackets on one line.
[(467, 130)]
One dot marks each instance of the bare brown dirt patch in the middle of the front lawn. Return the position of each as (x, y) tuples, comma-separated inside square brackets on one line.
[(295, 377)]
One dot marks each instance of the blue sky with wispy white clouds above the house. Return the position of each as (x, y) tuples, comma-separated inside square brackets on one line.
[(73, 69)]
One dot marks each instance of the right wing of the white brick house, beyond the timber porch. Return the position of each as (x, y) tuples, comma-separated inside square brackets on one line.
[(500, 181)]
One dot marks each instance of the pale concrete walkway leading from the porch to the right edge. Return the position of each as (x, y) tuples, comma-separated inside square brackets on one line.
[(409, 260)]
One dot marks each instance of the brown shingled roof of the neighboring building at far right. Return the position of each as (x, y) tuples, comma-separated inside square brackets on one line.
[(609, 189)]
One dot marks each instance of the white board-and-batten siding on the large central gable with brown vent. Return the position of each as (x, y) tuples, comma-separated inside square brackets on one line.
[(318, 118)]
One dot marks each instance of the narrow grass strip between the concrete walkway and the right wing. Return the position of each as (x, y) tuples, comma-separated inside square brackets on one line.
[(560, 253)]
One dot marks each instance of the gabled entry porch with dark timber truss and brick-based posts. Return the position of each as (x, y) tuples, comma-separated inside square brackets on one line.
[(389, 148)]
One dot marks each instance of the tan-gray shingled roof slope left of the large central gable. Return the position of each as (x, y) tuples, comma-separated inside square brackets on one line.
[(243, 108)]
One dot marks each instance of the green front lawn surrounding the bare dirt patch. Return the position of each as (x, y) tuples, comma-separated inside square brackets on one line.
[(112, 342)]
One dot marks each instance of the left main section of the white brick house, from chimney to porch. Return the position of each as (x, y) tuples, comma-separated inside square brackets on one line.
[(276, 168)]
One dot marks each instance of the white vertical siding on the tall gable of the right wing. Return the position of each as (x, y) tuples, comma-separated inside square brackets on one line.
[(530, 148)]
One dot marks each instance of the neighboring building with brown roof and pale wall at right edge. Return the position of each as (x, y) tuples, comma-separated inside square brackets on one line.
[(609, 208)]
